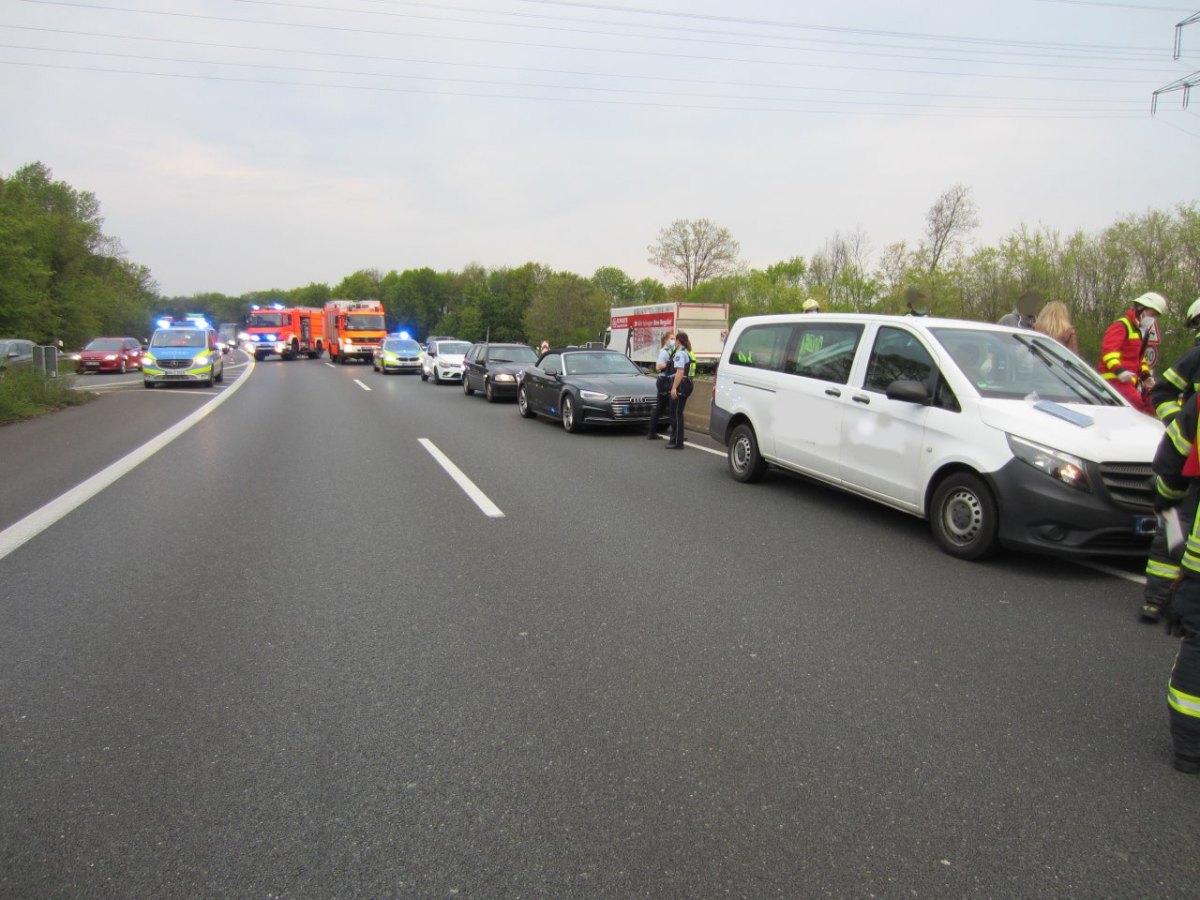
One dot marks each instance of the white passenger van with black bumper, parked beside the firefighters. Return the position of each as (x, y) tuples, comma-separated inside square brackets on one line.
[(998, 436)]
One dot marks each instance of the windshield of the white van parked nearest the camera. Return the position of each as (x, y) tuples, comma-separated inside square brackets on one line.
[(1015, 367)]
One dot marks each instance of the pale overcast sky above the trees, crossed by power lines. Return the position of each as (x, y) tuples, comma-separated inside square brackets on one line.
[(239, 146)]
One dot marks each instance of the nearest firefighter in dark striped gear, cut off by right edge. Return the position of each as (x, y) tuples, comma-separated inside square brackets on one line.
[(1178, 487)]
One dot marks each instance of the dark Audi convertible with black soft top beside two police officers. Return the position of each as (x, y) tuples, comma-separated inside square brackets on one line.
[(583, 387)]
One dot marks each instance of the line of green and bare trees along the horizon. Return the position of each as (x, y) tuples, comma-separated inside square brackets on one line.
[(63, 279)]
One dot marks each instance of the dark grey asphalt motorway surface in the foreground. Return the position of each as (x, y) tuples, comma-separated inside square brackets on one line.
[(290, 656)]
